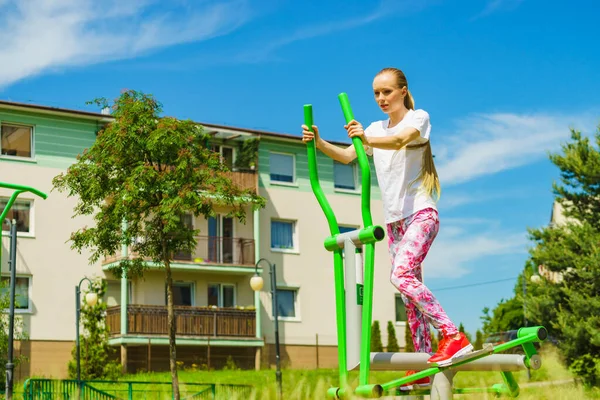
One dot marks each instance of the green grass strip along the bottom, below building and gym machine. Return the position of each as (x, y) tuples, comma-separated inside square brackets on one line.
[(313, 384)]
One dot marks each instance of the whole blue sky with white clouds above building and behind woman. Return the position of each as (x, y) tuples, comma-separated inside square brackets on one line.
[(503, 81)]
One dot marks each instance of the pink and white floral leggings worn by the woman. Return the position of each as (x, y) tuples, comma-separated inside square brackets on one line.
[(409, 241)]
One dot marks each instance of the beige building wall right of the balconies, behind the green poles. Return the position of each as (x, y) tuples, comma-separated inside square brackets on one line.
[(310, 268)]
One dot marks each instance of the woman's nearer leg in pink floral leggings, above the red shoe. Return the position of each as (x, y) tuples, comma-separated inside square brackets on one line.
[(420, 230)]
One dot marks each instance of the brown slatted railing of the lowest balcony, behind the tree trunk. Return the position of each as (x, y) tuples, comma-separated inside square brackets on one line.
[(190, 321)]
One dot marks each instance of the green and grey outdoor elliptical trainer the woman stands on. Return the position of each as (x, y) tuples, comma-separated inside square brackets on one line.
[(354, 306)]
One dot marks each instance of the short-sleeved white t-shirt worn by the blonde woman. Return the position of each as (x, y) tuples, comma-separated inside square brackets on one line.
[(396, 169)]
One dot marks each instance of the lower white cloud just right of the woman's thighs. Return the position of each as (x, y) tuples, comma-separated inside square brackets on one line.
[(461, 242)]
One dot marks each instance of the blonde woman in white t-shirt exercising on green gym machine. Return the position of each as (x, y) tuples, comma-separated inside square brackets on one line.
[(410, 188)]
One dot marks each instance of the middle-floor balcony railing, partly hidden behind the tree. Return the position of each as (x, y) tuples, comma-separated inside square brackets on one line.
[(213, 250)]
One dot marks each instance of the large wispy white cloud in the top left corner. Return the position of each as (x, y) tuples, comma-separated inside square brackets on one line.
[(39, 35)]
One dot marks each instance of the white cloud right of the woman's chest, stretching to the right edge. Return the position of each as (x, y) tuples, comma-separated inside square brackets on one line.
[(486, 144)]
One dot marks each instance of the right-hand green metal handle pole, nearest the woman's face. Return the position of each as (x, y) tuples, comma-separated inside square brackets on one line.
[(365, 172)]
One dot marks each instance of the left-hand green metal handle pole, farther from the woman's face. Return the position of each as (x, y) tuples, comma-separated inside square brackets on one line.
[(338, 261)]
